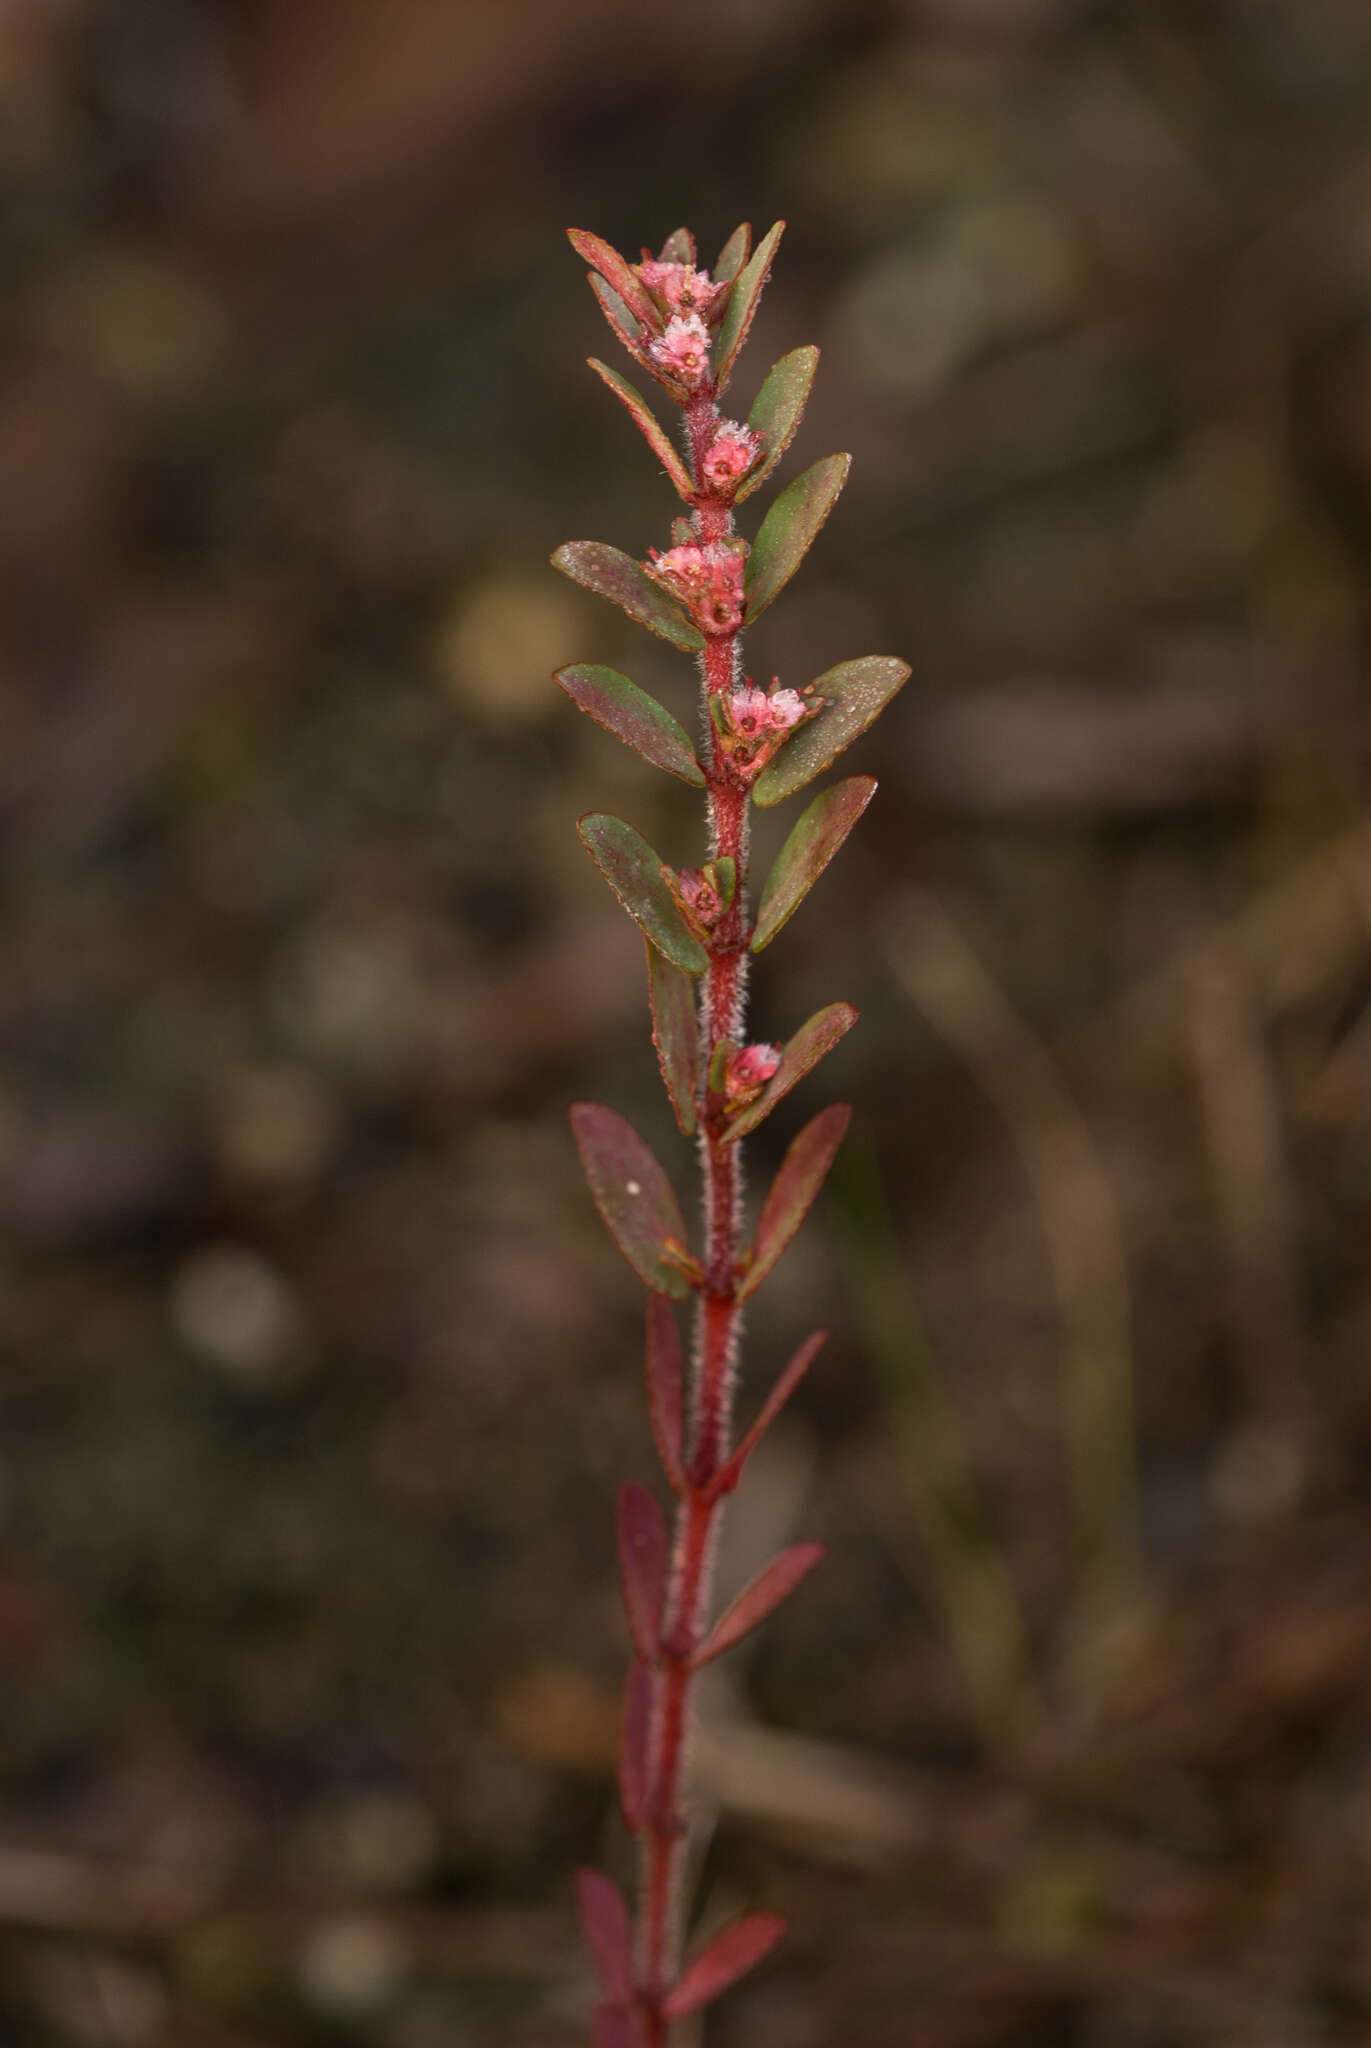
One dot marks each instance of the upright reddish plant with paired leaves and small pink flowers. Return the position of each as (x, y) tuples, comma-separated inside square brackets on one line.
[(685, 329)]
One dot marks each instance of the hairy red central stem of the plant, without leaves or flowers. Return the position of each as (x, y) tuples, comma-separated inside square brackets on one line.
[(685, 1619)]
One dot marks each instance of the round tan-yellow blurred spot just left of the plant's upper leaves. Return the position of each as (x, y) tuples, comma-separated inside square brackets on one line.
[(501, 642)]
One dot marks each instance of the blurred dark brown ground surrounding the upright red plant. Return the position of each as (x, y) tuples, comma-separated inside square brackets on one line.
[(319, 1367)]
